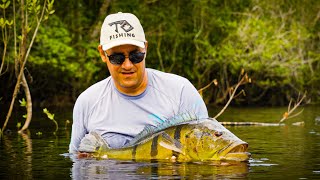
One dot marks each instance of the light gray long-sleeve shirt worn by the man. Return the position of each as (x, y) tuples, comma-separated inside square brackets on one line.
[(118, 117)]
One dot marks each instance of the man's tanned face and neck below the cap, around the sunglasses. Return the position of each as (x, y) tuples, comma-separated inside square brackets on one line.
[(129, 78)]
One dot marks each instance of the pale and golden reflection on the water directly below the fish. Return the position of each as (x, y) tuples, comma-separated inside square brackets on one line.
[(112, 169)]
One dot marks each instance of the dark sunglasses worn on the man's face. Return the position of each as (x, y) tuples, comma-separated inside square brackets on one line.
[(118, 58)]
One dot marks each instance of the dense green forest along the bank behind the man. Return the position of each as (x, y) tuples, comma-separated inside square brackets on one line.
[(277, 42)]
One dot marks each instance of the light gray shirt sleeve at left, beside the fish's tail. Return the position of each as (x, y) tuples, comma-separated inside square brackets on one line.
[(78, 126)]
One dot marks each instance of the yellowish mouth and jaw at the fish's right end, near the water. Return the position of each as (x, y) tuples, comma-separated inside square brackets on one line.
[(237, 153)]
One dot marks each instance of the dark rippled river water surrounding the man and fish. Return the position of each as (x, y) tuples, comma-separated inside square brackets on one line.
[(278, 152)]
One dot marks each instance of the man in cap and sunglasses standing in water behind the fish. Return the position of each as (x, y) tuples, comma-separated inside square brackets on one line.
[(120, 106)]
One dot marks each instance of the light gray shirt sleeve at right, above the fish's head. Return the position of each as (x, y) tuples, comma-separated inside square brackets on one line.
[(191, 102)]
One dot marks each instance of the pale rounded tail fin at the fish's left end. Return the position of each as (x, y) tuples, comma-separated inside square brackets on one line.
[(92, 142)]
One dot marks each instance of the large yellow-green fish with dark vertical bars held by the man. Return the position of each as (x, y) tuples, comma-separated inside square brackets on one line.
[(192, 140)]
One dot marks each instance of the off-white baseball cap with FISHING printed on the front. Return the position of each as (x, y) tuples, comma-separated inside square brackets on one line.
[(121, 28)]
